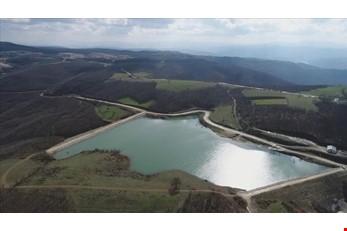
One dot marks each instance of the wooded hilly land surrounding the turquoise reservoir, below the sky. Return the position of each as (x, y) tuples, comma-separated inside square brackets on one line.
[(49, 100)]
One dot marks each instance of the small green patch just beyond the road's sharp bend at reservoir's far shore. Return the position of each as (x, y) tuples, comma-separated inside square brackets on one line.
[(224, 115)]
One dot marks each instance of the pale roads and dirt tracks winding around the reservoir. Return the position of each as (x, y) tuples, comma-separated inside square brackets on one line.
[(141, 112)]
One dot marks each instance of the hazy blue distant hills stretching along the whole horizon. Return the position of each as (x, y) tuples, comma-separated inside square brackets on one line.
[(166, 64)]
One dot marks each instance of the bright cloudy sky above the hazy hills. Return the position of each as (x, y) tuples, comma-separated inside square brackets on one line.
[(166, 33)]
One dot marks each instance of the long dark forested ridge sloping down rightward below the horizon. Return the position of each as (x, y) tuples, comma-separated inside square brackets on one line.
[(52, 67)]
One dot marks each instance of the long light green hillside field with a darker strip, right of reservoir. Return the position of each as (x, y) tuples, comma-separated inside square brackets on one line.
[(295, 101)]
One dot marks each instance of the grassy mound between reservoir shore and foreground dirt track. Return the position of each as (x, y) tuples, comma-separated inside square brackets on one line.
[(105, 169)]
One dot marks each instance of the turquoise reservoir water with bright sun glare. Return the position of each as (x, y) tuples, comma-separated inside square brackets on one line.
[(155, 145)]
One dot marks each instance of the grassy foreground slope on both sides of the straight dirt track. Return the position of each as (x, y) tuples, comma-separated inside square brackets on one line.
[(107, 170)]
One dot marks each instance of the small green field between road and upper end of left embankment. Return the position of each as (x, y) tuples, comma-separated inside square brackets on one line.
[(111, 113)]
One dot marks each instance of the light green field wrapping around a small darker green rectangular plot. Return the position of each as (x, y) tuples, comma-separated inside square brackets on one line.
[(293, 100)]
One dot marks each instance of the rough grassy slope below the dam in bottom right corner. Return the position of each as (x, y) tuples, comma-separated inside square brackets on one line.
[(311, 196)]
